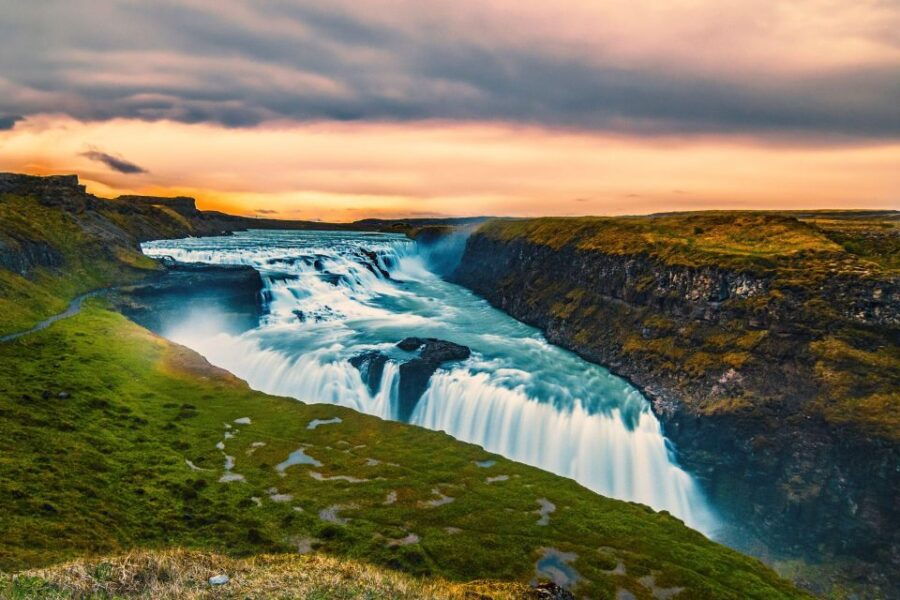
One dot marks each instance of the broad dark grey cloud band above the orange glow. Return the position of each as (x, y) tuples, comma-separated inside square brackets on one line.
[(240, 64)]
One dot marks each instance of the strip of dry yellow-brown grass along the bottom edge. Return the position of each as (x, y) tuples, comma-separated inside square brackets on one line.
[(184, 574)]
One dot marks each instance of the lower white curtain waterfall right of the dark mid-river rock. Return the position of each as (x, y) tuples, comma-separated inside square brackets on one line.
[(595, 449)]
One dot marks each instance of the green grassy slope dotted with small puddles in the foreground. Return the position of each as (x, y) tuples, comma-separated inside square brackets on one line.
[(115, 439)]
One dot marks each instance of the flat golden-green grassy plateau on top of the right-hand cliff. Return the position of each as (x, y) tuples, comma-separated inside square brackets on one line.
[(801, 246)]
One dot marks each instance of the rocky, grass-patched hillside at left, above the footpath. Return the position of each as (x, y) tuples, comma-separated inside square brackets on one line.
[(57, 241)]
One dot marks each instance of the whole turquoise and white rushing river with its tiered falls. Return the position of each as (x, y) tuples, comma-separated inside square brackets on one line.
[(331, 296)]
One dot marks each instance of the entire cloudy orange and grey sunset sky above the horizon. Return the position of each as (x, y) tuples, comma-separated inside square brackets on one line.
[(341, 109)]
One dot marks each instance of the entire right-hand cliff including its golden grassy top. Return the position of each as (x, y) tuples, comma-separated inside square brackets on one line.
[(767, 344)]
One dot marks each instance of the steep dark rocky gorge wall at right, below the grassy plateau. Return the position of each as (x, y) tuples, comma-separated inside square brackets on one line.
[(736, 365)]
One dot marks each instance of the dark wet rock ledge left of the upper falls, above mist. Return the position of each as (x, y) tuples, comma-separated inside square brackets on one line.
[(231, 291)]
